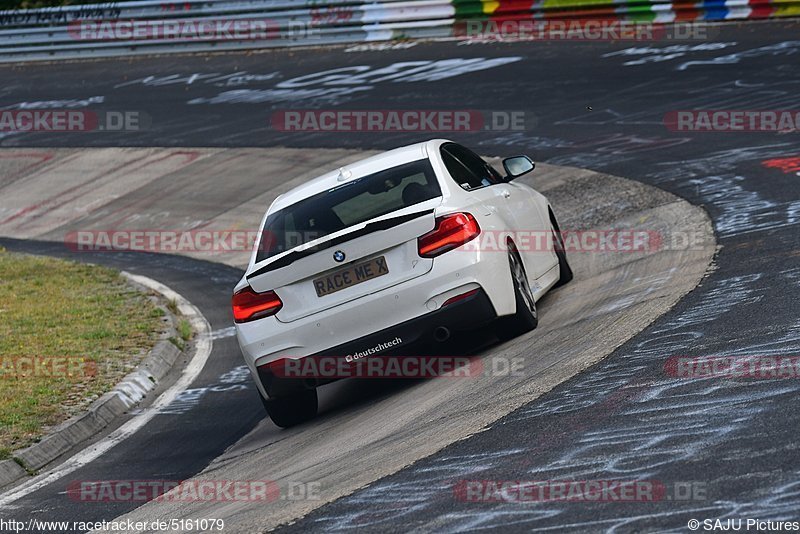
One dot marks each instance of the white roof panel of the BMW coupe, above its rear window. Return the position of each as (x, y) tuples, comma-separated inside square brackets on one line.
[(357, 169)]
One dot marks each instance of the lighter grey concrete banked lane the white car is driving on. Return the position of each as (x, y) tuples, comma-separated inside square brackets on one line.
[(392, 423)]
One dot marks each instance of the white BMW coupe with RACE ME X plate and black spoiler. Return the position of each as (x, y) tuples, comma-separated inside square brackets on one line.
[(409, 246)]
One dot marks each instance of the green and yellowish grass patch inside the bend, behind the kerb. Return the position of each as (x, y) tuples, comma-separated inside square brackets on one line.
[(57, 309)]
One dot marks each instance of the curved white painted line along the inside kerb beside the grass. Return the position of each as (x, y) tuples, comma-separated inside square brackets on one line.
[(203, 343)]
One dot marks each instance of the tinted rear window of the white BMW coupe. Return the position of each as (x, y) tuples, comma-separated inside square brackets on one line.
[(346, 205)]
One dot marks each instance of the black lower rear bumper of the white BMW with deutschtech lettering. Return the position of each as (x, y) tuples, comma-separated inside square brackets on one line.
[(413, 334)]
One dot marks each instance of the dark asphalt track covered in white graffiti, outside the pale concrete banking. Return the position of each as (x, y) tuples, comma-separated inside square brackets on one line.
[(592, 105)]
